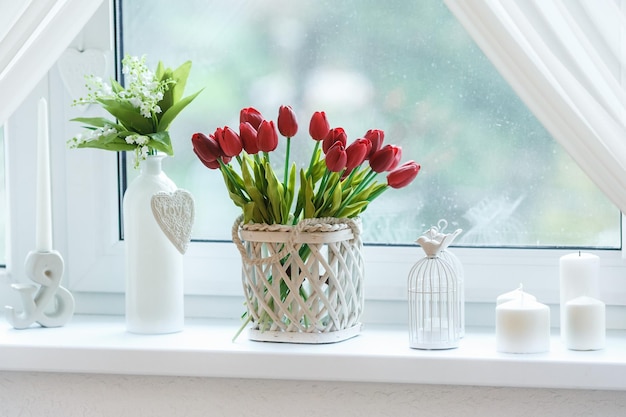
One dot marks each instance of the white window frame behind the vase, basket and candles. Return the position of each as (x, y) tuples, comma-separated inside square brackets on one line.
[(86, 232)]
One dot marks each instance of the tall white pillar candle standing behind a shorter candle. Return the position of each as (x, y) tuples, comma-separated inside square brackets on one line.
[(578, 276)]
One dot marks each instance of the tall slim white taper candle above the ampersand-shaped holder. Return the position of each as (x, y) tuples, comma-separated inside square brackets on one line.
[(43, 202)]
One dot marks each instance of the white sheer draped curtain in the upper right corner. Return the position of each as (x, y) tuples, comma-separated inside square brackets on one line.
[(566, 59)]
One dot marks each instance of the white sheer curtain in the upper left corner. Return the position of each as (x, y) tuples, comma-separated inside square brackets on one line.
[(33, 34)]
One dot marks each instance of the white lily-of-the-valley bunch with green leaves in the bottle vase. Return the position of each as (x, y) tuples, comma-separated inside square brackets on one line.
[(143, 110)]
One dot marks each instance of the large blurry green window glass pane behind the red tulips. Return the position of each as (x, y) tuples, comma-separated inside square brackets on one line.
[(406, 67)]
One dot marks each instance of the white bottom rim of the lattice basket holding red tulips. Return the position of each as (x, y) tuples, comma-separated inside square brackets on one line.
[(304, 337)]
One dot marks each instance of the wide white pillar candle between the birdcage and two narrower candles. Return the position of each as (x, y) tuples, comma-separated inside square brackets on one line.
[(522, 326)]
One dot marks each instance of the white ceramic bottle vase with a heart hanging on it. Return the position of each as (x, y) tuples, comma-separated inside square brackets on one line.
[(154, 267)]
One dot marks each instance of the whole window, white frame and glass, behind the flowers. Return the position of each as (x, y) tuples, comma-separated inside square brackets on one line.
[(85, 187)]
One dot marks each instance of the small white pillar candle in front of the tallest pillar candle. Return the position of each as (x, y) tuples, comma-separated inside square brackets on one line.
[(586, 324)]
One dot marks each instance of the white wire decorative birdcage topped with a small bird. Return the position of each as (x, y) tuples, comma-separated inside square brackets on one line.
[(434, 308)]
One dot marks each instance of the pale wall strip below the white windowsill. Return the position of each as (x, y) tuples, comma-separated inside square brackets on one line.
[(69, 395)]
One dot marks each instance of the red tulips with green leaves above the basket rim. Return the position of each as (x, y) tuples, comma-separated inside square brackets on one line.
[(339, 181)]
